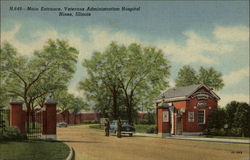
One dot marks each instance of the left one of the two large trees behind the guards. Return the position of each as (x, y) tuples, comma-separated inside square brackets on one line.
[(102, 86)]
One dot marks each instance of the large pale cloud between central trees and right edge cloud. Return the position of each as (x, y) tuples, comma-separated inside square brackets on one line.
[(196, 49)]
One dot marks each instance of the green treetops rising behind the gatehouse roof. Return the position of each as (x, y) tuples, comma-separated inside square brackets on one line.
[(208, 76)]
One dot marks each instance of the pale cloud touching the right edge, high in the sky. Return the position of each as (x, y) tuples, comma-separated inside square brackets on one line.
[(235, 33)]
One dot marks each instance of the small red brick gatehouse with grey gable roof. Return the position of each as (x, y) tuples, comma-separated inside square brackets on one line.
[(185, 110)]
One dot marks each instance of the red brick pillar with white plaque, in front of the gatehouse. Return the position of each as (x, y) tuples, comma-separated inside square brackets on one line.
[(163, 123)]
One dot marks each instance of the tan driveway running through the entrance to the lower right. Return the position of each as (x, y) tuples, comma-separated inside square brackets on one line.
[(91, 144)]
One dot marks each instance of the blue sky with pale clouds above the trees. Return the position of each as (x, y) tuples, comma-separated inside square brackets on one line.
[(196, 33)]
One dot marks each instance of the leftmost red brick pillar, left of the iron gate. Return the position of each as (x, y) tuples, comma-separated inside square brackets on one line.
[(17, 116)]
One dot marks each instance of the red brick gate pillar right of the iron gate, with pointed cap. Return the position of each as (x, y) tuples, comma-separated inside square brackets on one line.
[(49, 120)]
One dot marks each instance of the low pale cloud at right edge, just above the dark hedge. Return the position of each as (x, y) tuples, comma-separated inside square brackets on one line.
[(236, 76)]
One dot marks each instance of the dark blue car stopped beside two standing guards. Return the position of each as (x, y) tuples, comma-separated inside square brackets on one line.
[(126, 127)]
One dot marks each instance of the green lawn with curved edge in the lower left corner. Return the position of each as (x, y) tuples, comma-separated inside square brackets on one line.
[(33, 150)]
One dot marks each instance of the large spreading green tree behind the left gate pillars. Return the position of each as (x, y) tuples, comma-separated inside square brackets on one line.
[(48, 70)]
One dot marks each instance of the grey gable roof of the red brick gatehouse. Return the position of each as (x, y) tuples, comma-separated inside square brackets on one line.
[(182, 93)]
